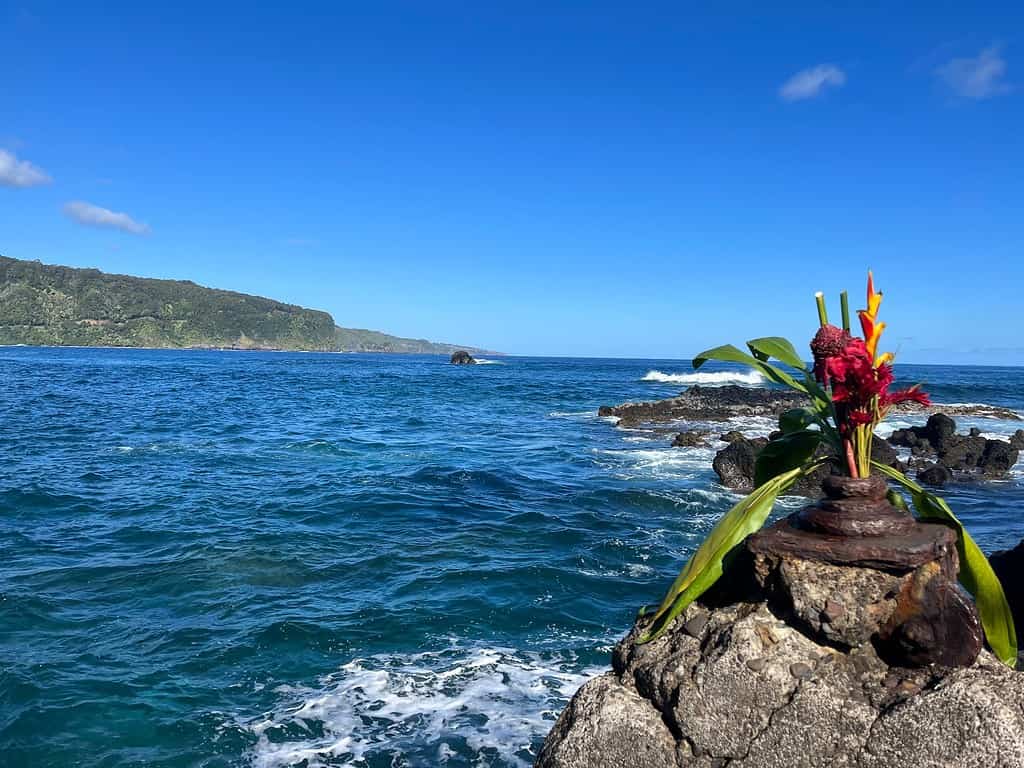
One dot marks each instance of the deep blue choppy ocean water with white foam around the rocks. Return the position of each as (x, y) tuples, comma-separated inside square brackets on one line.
[(271, 560)]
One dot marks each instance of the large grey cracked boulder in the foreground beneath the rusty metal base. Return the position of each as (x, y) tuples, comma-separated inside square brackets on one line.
[(751, 691)]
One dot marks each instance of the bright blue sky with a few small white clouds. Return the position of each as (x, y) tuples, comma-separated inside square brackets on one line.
[(541, 179)]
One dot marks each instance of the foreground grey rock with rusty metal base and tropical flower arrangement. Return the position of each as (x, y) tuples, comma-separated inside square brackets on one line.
[(839, 636)]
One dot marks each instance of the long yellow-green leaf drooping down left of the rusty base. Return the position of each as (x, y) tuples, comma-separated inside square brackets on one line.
[(707, 565)]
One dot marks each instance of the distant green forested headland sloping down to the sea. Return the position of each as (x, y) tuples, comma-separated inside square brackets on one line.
[(51, 306)]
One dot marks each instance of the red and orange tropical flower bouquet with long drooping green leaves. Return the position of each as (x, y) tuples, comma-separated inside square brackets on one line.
[(849, 393)]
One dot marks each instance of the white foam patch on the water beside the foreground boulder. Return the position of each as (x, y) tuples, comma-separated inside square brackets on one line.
[(482, 707)]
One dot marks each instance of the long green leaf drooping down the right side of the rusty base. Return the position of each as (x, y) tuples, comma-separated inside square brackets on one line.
[(976, 574)]
